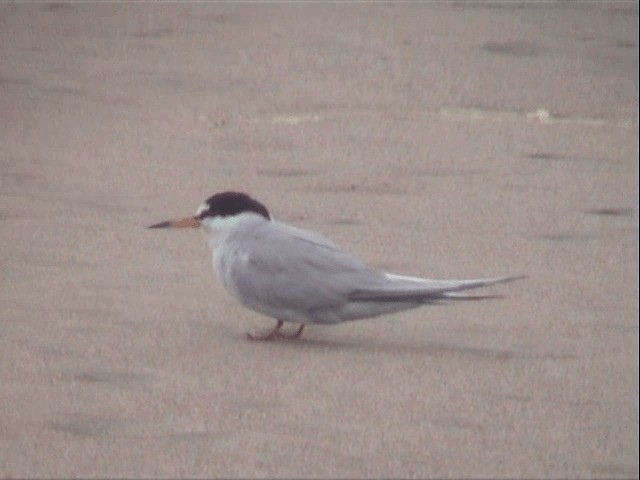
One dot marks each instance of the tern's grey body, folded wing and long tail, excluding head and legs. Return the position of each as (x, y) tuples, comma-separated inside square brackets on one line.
[(296, 275)]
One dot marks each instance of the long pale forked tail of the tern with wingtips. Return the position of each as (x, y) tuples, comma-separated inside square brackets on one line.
[(412, 289)]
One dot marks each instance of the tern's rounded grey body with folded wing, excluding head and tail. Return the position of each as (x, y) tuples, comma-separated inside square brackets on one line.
[(284, 269)]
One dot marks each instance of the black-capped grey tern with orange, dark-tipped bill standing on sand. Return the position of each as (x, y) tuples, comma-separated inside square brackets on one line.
[(298, 276)]
